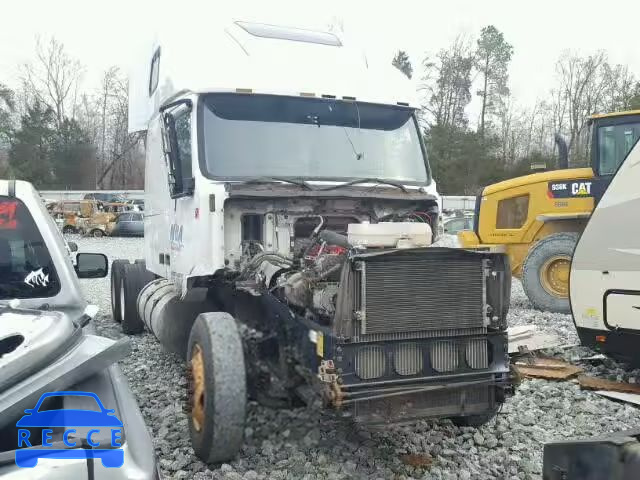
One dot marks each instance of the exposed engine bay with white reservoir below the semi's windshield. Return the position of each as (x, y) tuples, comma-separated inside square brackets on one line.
[(296, 249)]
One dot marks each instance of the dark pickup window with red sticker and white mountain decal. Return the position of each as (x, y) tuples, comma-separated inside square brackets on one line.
[(26, 268)]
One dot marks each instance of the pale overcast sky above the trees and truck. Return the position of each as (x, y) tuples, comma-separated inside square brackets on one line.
[(101, 34)]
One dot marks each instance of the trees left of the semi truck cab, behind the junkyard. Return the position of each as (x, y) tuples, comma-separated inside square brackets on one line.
[(58, 136)]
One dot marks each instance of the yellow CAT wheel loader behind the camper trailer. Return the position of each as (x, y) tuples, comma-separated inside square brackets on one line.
[(537, 219)]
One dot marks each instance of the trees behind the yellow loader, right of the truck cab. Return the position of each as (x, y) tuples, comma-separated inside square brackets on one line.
[(507, 138)]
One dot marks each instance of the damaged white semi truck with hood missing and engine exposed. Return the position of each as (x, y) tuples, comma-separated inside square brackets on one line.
[(289, 216)]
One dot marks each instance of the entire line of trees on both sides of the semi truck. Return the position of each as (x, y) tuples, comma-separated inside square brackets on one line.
[(57, 135)]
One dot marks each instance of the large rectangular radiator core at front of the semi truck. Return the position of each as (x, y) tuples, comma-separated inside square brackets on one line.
[(408, 293)]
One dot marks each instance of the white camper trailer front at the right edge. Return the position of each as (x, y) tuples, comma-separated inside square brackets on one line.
[(605, 271)]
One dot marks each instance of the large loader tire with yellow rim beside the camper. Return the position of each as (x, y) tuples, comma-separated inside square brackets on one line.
[(545, 274)]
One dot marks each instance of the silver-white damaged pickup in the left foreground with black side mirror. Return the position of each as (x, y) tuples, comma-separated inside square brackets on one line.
[(51, 359)]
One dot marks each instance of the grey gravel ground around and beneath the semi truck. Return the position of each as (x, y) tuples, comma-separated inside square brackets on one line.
[(303, 443)]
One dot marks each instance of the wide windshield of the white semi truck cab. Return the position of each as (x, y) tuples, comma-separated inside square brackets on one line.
[(249, 136)]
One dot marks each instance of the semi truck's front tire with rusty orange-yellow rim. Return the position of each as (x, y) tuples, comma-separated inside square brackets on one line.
[(217, 387)]
